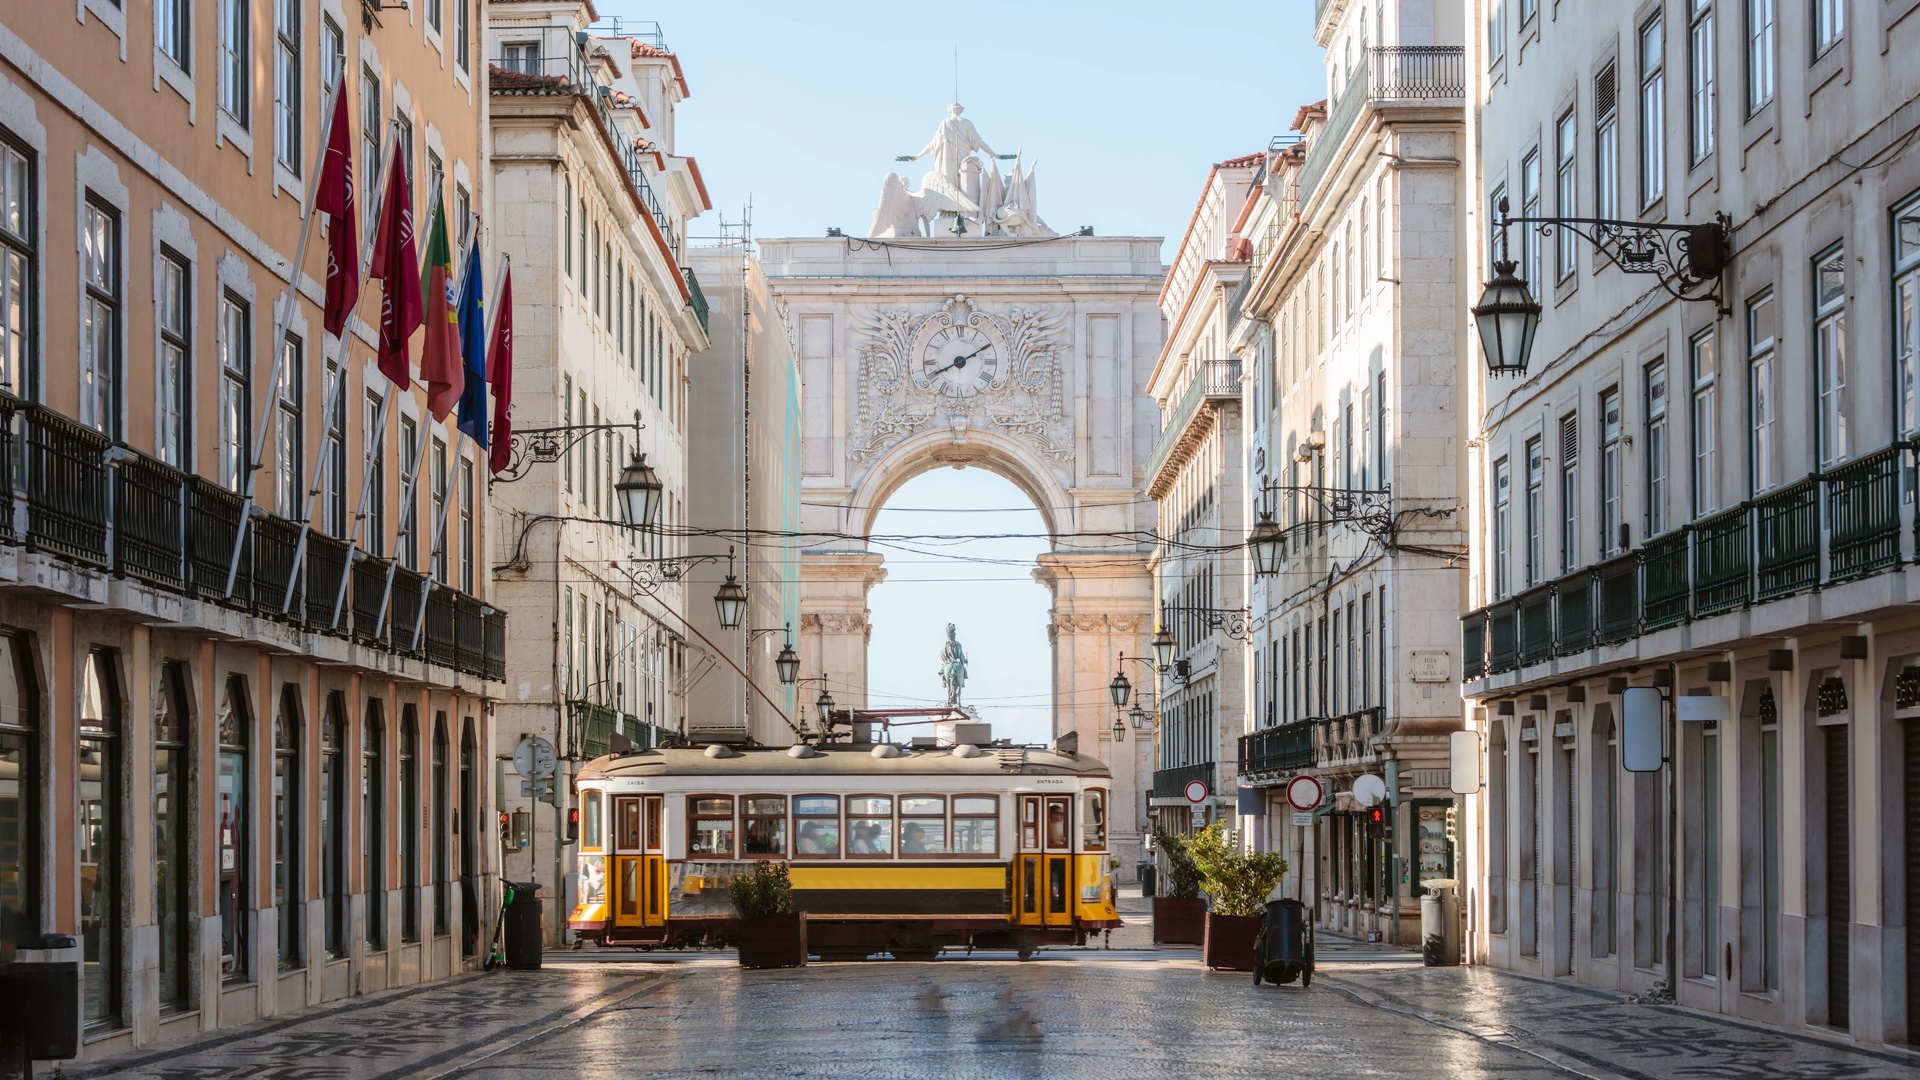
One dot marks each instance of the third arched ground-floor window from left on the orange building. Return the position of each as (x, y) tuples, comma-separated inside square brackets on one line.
[(174, 820)]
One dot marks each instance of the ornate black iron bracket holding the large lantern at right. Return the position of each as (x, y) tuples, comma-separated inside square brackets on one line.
[(1689, 260)]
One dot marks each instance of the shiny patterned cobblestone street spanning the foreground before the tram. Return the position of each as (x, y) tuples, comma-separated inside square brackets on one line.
[(1074, 1014)]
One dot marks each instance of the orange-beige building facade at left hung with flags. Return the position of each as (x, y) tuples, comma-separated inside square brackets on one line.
[(243, 785)]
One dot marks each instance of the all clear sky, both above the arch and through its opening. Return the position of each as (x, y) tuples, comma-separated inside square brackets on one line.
[(1124, 107)]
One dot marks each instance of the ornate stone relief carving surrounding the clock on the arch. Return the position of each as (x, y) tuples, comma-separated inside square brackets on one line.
[(1015, 389)]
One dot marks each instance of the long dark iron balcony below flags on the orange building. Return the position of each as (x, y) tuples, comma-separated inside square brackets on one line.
[(99, 504)]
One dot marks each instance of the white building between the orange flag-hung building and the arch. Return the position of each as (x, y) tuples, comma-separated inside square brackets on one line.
[(592, 210)]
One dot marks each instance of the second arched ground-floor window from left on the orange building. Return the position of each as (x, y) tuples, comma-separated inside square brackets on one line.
[(99, 829)]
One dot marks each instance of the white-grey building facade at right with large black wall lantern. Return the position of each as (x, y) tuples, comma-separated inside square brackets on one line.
[(1714, 499)]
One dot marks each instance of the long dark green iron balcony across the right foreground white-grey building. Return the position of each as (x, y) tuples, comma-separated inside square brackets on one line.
[(1821, 531)]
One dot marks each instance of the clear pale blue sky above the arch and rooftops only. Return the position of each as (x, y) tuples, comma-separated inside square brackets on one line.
[(1124, 105)]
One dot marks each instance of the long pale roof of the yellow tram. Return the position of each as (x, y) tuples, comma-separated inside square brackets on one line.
[(844, 760)]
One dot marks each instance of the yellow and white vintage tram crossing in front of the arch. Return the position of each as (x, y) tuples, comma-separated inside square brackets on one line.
[(892, 850)]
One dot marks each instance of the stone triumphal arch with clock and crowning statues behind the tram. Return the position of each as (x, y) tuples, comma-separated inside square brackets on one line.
[(1003, 347)]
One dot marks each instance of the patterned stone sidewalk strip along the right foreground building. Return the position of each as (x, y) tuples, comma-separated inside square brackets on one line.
[(1585, 1031)]
